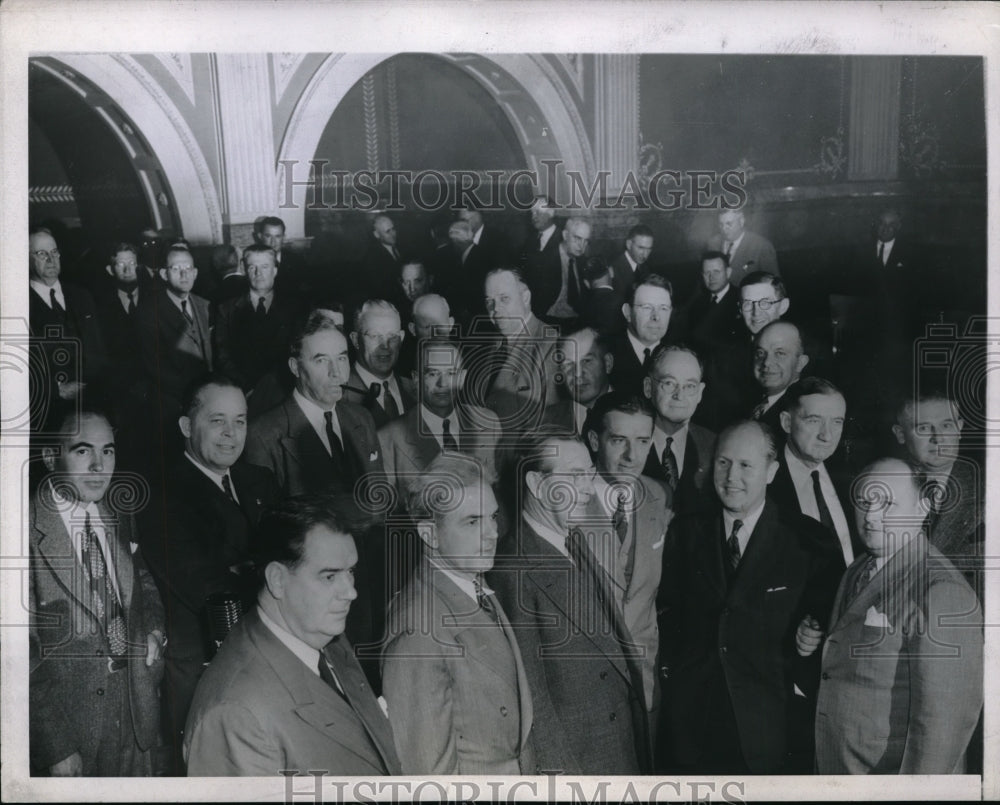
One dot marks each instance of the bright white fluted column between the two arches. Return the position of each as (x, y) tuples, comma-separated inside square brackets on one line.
[(246, 140)]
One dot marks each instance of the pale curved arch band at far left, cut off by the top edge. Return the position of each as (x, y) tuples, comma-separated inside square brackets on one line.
[(169, 137)]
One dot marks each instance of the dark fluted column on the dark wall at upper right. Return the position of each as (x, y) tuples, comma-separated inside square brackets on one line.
[(873, 138)]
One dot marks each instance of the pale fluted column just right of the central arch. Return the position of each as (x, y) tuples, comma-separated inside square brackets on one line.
[(616, 116)]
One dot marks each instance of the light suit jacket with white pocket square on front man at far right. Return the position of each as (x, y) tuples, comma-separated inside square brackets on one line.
[(902, 682)]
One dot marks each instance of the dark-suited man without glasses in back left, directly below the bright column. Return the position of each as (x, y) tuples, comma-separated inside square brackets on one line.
[(251, 333)]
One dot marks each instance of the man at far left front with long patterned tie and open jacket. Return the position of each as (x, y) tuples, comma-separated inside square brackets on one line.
[(96, 630)]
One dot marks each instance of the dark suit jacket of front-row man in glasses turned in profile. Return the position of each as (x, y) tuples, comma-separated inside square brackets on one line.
[(589, 708)]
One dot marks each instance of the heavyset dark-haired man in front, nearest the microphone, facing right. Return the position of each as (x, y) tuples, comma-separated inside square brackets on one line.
[(285, 691)]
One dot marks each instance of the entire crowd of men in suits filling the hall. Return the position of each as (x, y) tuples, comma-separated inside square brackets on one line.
[(500, 509)]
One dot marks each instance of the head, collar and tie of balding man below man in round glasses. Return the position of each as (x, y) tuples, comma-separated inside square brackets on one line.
[(778, 361)]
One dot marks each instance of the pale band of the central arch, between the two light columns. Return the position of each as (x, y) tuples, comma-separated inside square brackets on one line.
[(537, 103)]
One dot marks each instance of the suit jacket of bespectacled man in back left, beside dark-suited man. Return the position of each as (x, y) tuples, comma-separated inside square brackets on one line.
[(173, 351)]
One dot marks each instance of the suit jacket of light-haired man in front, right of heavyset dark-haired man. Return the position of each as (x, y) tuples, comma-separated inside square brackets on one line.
[(458, 696)]
